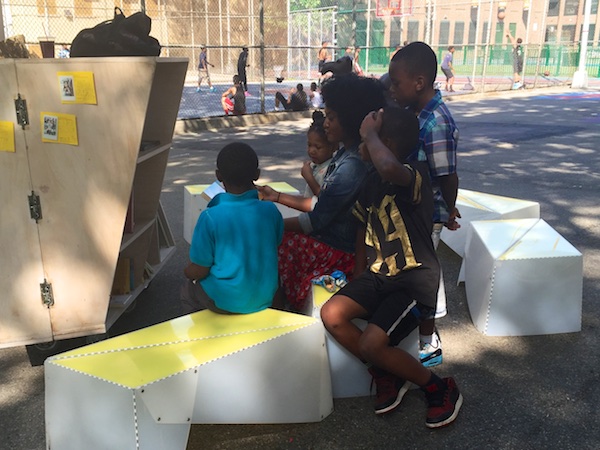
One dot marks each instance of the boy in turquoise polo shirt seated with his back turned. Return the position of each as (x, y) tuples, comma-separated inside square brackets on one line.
[(233, 254)]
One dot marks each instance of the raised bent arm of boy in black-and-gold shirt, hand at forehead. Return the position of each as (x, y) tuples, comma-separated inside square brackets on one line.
[(386, 163)]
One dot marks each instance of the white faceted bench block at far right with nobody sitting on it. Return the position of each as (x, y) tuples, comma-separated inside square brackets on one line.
[(522, 278)]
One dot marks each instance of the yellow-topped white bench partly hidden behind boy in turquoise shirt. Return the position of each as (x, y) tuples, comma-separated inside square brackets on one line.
[(194, 202)]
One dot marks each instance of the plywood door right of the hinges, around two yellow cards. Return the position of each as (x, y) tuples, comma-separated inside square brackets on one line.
[(85, 189)]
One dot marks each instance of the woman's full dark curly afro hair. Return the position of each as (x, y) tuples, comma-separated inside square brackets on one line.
[(352, 98)]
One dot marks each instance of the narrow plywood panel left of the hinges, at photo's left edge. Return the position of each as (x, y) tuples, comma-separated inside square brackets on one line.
[(23, 319)]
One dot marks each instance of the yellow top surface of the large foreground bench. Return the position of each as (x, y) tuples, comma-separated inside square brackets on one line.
[(144, 356)]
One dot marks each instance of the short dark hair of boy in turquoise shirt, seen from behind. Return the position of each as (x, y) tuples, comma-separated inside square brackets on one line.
[(237, 163)]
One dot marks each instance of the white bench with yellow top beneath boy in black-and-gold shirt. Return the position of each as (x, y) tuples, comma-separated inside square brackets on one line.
[(349, 376)]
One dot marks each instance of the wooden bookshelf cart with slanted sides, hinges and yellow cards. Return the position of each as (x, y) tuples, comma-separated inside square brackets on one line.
[(82, 222)]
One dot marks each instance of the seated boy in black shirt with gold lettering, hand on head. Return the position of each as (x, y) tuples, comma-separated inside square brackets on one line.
[(399, 286)]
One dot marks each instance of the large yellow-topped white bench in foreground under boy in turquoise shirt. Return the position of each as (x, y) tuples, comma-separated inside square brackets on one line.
[(142, 390)]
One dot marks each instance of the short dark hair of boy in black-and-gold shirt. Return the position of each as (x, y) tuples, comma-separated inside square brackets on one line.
[(401, 126)]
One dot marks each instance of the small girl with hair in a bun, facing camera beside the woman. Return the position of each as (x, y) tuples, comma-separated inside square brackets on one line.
[(320, 152)]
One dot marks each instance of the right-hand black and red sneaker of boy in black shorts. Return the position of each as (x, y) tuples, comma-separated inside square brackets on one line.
[(443, 403)]
